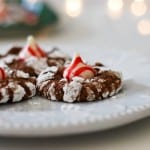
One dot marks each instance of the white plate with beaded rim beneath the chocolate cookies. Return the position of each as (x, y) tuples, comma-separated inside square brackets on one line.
[(40, 117)]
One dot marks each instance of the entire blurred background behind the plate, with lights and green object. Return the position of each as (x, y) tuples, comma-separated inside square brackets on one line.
[(79, 24)]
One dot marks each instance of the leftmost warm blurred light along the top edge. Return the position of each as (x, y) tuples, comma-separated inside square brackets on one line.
[(73, 8)]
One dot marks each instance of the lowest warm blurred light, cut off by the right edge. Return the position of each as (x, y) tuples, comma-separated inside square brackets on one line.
[(143, 27)]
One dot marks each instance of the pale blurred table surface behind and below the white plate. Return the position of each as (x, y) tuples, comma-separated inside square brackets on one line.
[(91, 30)]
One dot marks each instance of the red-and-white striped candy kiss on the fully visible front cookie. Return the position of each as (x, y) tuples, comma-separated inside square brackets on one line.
[(78, 68)]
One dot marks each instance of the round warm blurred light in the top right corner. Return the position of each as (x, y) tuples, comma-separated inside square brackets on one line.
[(138, 7)]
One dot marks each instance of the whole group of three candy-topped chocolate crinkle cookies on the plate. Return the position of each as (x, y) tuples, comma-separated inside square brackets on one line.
[(29, 71)]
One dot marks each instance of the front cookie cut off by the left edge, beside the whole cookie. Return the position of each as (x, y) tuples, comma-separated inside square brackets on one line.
[(16, 86)]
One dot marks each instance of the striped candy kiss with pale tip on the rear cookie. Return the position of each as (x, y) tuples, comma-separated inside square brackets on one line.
[(31, 49)]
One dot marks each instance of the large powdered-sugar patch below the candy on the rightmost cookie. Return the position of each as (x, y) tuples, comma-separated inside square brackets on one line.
[(72, 89)]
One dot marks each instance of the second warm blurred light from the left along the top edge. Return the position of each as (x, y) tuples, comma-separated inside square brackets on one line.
[(115, 8)]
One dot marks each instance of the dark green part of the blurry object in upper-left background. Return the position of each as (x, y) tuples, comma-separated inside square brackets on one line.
[(46, 17)]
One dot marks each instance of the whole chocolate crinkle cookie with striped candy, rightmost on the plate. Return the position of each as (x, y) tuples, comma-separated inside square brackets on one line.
[(78, 82)]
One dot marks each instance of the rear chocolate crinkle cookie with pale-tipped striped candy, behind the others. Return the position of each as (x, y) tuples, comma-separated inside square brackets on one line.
[(32, 59)]
